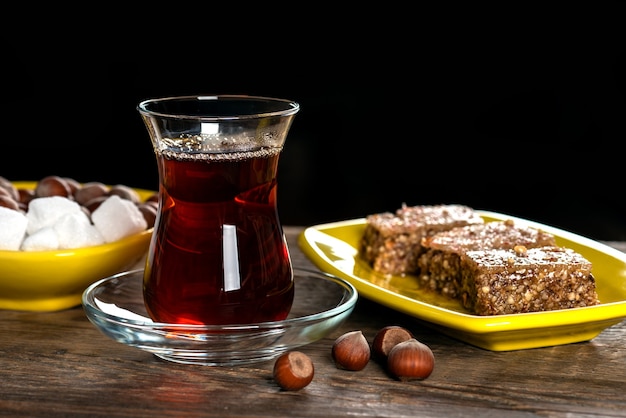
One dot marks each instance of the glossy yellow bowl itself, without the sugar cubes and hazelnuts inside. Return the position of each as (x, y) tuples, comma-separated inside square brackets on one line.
[(55, 280)]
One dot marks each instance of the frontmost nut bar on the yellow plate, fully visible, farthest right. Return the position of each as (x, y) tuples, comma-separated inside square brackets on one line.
[(520, 280)]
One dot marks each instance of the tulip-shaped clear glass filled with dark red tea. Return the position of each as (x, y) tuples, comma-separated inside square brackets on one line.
[(218, 254)]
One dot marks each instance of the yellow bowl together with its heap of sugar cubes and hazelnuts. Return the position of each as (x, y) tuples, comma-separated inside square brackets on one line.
[(58, 236)]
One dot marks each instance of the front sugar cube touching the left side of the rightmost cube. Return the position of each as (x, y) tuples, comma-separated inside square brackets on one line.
[(74, 230)]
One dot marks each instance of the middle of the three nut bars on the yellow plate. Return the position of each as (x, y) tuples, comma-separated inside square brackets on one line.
[(439, 265)]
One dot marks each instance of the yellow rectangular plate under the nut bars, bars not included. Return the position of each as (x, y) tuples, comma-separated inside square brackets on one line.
[(333, 247)]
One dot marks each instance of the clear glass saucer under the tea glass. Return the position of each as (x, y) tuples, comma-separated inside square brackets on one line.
[(115, 306)]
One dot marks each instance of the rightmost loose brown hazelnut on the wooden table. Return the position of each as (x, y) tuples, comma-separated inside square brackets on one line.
[(410, 360)]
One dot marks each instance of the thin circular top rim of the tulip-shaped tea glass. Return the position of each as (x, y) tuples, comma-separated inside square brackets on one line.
[(286, 107)]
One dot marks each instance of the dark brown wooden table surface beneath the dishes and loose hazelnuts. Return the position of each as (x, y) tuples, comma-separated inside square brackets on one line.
[(59, 364)]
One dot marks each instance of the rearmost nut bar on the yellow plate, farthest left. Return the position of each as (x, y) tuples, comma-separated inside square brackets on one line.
[(391, 242)]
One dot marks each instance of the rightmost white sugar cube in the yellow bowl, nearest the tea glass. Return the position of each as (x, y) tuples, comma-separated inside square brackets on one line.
[(117, 218)]
